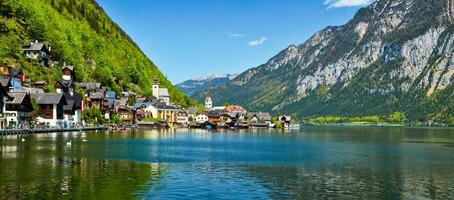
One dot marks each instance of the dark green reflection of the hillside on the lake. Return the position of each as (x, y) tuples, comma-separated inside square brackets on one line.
[(44, 167)]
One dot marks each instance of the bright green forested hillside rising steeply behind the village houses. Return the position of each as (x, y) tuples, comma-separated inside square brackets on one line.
[(80, 34)]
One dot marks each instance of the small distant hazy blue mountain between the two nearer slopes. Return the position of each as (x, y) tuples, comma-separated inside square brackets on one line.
[(199, 85)]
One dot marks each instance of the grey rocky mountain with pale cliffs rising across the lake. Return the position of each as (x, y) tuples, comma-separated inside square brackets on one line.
[(394, 55)]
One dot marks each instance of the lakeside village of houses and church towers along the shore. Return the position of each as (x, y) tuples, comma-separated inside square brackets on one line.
[(27, 104)]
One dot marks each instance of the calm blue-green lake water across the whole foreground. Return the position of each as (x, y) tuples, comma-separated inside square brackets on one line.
[(322, 163)]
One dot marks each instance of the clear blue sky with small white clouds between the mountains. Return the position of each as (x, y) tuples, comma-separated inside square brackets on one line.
[(192, 38)]
